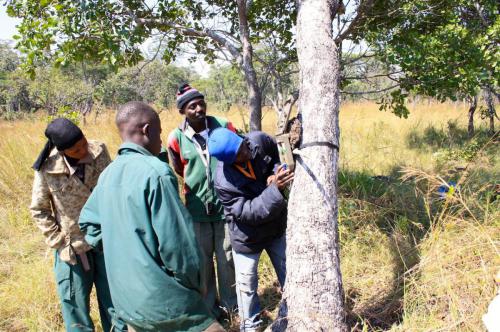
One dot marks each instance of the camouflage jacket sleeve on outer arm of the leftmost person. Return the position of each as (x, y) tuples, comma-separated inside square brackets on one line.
[(42, 213)]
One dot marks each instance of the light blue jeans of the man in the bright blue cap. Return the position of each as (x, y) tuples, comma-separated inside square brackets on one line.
[(247, 281)]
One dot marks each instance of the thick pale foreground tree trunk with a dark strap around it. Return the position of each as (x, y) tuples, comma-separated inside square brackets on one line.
[(313, 295)]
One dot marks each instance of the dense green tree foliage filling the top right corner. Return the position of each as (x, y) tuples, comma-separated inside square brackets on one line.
[(443, 49)]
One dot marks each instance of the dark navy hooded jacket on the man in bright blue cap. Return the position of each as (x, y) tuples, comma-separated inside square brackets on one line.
[(256, 213)]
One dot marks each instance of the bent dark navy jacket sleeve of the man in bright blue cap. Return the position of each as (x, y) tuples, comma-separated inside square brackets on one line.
[(259, 210)]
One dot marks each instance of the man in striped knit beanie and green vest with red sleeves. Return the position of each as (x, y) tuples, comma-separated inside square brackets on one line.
[(187, 146)]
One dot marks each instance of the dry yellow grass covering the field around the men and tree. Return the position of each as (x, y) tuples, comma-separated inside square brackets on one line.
[(391, 278)]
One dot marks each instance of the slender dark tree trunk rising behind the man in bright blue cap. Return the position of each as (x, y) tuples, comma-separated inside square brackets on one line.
[(254, 93)]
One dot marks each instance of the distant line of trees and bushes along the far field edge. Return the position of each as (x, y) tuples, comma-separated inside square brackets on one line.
[(365, 75)]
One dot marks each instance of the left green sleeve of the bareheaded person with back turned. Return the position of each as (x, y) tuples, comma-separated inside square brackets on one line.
[(90, 221)]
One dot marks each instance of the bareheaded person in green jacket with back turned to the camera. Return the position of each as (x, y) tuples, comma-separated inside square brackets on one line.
[(152, 258)]
